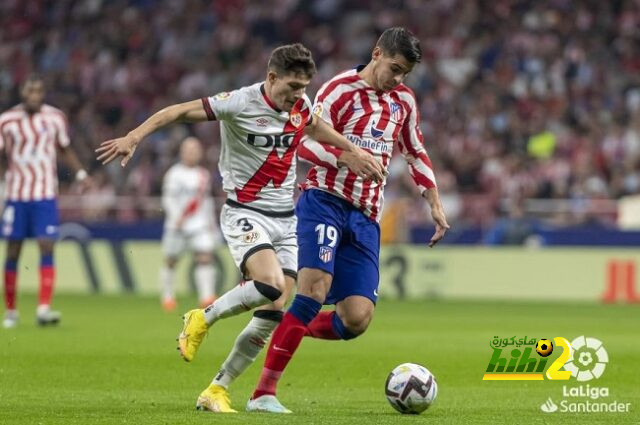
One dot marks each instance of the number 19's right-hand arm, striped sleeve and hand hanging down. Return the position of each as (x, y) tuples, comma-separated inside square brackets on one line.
[(412, 148)]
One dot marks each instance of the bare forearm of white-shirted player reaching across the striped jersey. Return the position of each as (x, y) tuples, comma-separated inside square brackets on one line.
[(357, 159)]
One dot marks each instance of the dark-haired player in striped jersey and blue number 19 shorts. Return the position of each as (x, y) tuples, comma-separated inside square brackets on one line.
[(338, 232)]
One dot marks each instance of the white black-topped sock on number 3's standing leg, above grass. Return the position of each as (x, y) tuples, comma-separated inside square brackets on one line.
[(247, 346)]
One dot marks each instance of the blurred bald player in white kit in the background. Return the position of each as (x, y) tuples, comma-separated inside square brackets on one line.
[(189, 224)]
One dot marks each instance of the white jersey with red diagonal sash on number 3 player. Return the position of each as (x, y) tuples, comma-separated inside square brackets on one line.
[(259, 142)]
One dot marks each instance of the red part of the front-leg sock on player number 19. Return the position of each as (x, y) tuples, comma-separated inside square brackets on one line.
[(285, 341)]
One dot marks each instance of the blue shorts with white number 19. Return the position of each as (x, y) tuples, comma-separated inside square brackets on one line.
[(336, 237)]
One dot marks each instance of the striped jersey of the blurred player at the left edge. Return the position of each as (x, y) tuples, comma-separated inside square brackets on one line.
[(30, 141)]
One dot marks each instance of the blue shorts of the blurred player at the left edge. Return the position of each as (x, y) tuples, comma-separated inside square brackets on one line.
[(30, 219)]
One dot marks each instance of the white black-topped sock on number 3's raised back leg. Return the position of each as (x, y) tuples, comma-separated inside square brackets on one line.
[(245, 296)]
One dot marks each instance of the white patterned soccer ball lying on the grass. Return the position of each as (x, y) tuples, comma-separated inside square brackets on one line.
[(411, 388)]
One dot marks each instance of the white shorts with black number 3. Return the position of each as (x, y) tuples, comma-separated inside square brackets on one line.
[(247, 232)]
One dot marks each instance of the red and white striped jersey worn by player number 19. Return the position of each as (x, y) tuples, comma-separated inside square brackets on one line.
[(375, 121)]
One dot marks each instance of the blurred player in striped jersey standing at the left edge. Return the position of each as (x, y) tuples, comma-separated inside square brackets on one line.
[(30, 134)]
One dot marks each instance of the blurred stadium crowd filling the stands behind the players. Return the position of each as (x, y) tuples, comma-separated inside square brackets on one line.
[(518, 99)]
